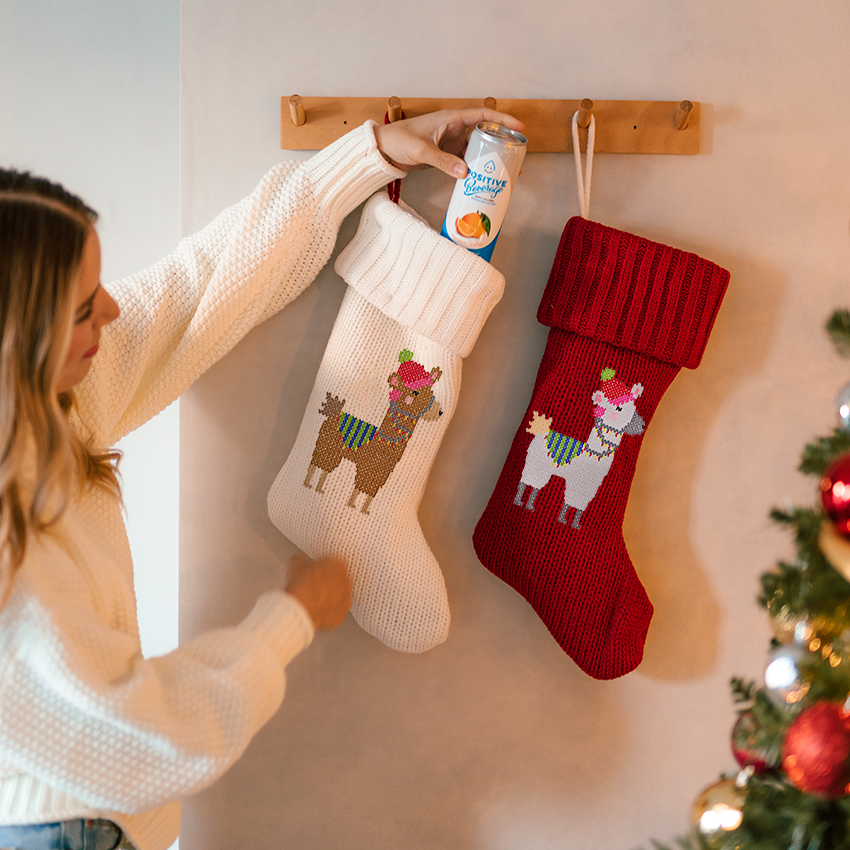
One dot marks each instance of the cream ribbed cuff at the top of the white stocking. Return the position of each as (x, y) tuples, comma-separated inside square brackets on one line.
[(419, 278)]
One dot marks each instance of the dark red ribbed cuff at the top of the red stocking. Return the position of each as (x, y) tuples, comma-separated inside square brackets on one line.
[(633, 293)]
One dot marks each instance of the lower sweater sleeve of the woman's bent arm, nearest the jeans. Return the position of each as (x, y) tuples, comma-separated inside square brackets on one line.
[(124, 733)]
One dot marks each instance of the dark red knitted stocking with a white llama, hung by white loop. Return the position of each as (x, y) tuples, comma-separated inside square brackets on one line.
[(625, 314)]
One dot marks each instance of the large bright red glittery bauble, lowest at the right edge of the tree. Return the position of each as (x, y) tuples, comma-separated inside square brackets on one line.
[(816, 750)]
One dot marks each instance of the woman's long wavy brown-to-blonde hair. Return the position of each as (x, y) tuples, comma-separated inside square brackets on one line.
[(43, 229)]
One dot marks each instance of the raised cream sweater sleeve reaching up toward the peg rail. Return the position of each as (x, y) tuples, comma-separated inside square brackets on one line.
[(184, 313)]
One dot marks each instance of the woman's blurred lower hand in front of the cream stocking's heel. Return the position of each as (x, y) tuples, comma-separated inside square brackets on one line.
[(322, 587)]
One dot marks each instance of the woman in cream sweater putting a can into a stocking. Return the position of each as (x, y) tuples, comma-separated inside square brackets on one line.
[(98, 744)]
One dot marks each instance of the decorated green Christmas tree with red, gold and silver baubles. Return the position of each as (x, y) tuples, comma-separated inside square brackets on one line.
[(792, 736)]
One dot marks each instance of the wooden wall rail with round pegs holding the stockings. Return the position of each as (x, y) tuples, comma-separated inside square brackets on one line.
[(622, 126)]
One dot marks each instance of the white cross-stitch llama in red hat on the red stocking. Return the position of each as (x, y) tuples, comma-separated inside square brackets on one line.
[(582, 465)]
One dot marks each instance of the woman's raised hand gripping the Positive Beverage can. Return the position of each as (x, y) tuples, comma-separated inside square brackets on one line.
[(438, 138)]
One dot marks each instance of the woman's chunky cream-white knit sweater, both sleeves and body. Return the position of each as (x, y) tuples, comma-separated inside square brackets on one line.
[(88, 727)]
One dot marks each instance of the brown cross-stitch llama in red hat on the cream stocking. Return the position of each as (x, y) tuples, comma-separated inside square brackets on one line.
[(375, 451)]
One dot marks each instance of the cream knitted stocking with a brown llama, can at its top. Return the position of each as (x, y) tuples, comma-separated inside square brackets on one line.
[(384, 394)]
